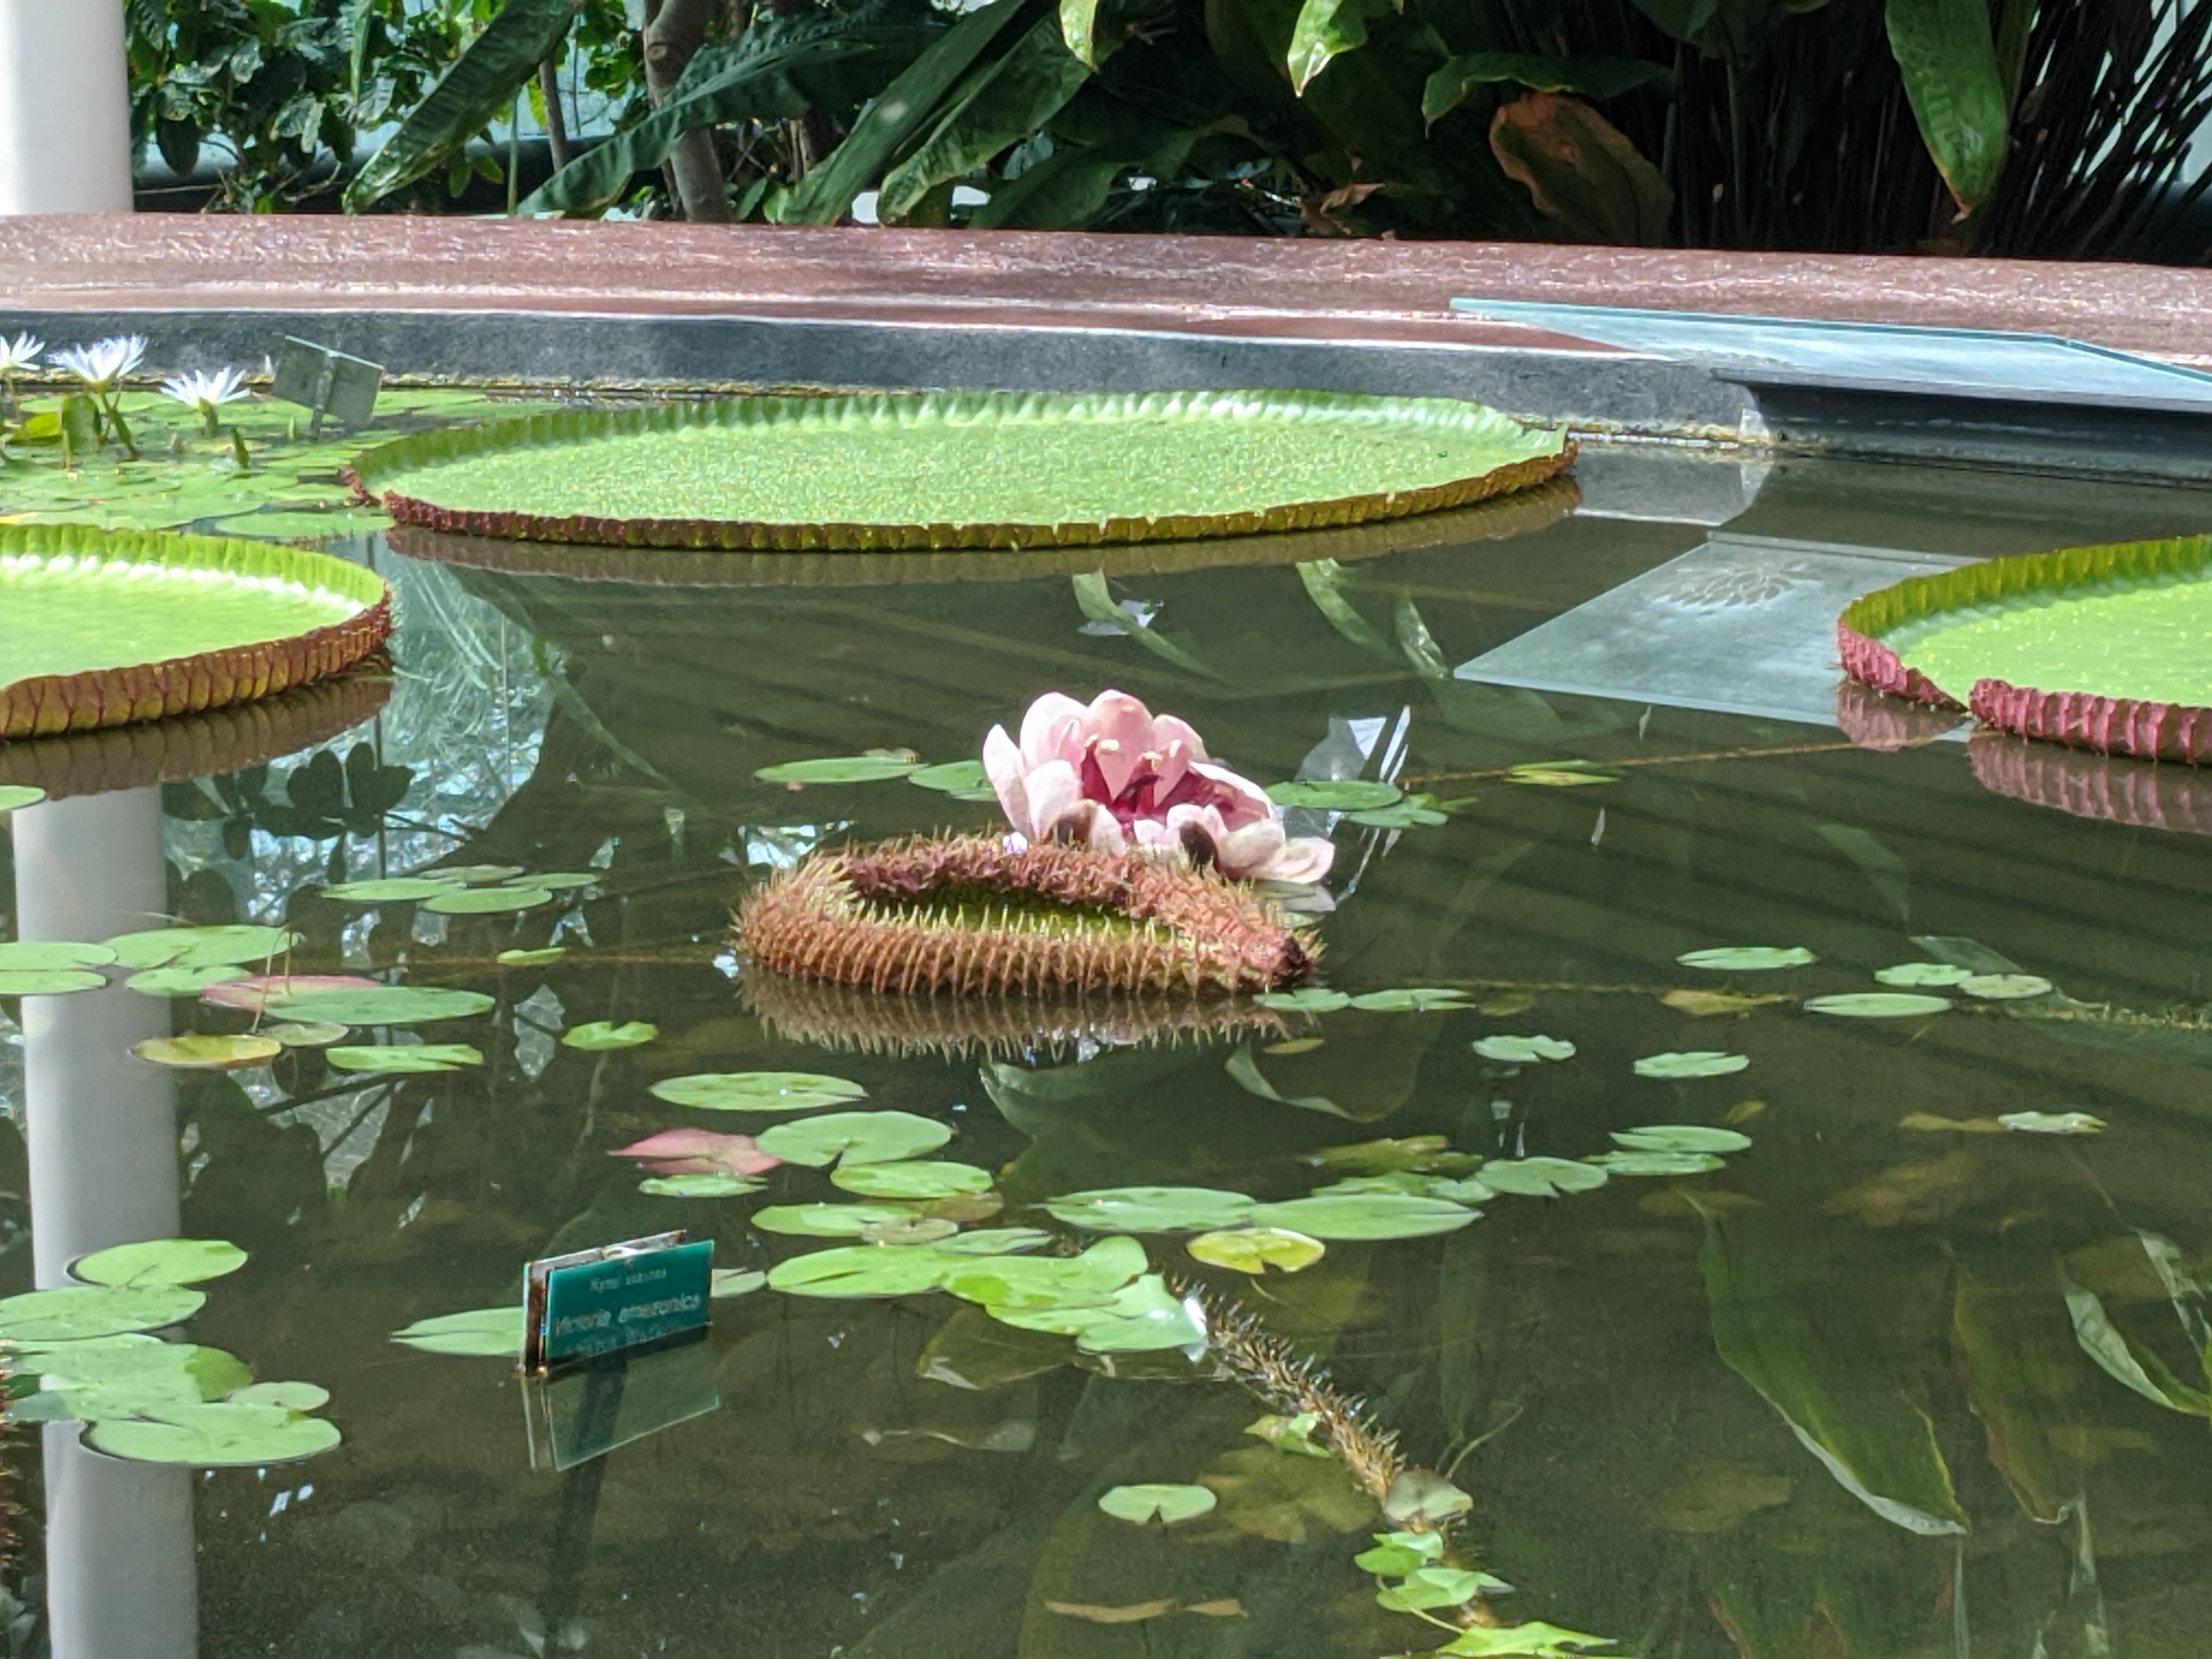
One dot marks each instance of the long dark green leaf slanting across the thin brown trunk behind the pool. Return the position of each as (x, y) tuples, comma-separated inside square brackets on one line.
[(778, 70)]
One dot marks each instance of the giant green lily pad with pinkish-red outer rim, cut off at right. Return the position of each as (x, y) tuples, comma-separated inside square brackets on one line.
[(2096, 647)]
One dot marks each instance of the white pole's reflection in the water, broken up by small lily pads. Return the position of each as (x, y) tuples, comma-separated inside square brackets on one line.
[(103, 1140)]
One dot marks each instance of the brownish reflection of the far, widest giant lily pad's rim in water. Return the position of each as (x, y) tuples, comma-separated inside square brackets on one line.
[(1490, 521)]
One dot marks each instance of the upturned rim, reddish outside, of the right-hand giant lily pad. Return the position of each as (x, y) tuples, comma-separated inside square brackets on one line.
[(2089, 720)]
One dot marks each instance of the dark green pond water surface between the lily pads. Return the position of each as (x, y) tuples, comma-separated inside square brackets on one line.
[(1826, 1401)]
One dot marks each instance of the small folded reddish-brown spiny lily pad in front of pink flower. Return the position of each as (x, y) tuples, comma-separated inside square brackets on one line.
[(972, 917)]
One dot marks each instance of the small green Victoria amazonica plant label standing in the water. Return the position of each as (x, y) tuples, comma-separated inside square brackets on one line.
[(625, 1295)]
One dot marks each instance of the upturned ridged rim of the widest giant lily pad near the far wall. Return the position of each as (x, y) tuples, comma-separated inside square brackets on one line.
[(386, 472)]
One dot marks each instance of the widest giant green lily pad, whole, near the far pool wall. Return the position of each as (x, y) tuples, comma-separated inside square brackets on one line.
[(959, 470)]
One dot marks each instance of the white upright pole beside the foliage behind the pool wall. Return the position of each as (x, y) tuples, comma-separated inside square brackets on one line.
[(65, 107)]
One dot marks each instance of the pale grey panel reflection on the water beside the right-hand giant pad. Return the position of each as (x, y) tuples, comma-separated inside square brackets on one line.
[(1742, 625)]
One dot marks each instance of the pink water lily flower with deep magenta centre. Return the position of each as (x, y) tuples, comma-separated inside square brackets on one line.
[(1116, 778)]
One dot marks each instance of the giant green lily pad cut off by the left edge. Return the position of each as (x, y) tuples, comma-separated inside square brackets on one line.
[(103, 629)]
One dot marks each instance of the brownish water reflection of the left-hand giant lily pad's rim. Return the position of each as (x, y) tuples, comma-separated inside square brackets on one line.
[(196, 747)]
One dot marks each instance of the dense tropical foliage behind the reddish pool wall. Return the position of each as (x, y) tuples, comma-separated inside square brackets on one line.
[(2012, 127)]
